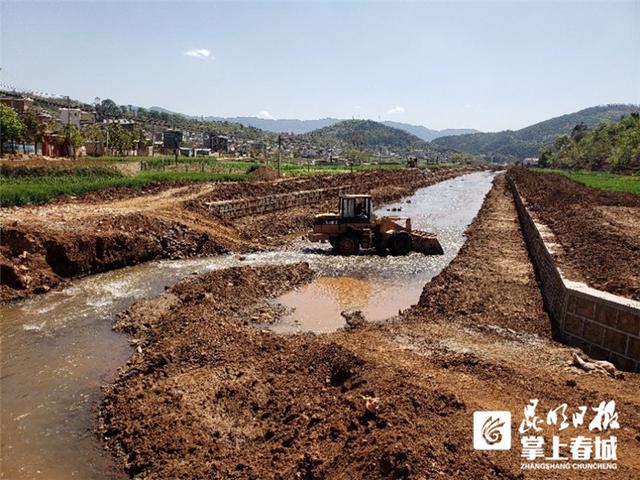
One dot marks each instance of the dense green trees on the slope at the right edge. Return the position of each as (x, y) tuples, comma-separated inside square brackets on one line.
[(610, 146)]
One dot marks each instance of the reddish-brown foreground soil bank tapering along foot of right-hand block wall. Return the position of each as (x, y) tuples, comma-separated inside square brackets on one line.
[(207, 395)]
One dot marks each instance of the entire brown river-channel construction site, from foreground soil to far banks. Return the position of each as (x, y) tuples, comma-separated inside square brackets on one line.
[(198, 331)]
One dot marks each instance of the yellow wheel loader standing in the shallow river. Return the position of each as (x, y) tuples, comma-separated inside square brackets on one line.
[(355, 227)]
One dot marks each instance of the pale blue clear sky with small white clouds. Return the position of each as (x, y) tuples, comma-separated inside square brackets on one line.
[(484, 65)]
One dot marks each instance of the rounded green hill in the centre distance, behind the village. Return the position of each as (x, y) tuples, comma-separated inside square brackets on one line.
[(368, 135)]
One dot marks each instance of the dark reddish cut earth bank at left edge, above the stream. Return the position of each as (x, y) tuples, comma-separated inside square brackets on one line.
[(33, 260)]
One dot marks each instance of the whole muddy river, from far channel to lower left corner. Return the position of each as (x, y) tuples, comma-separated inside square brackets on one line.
[(57, 349)]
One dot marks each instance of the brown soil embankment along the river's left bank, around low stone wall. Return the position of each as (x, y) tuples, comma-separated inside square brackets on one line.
[(43, 246)]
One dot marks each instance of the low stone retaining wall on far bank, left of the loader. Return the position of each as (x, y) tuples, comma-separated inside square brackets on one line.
[(230, 209)]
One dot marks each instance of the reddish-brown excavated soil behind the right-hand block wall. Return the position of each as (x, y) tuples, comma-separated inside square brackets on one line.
[(599, 230)]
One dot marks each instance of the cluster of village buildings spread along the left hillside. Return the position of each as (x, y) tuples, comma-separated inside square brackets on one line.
[(149, 137)]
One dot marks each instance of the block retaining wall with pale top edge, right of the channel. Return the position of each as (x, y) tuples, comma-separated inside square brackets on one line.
[(603, 325)]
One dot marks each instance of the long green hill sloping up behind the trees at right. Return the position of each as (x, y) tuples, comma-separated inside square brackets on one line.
[(526, 142)]
